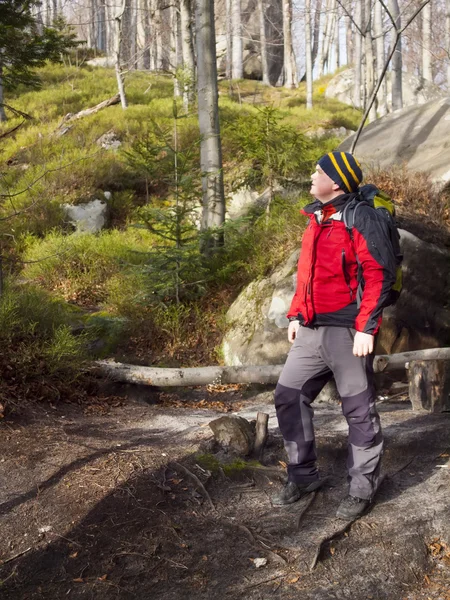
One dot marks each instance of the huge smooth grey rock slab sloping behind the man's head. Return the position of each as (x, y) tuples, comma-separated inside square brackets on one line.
[(417, 136)]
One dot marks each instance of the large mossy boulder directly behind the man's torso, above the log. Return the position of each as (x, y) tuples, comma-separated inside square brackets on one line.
[(257, 319)]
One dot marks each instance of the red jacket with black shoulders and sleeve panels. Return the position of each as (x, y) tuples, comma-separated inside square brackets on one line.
[(327, 280)]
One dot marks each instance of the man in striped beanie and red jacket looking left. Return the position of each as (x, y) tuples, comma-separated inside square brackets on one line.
[(333, 333)]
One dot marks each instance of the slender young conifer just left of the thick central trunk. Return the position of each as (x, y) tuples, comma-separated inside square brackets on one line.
[(174, 268)]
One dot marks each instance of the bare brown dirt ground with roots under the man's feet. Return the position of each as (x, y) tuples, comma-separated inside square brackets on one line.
[(94, 504)]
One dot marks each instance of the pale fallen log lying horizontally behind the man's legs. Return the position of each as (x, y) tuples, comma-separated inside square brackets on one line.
[(265, 374)]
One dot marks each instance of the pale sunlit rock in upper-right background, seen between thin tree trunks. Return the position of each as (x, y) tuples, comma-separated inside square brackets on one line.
[(415, 90)]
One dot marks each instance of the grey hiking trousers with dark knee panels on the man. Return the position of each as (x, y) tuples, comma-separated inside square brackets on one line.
[(316, 355)]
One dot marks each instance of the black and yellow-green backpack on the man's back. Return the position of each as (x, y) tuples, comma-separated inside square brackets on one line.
[(370, 195)]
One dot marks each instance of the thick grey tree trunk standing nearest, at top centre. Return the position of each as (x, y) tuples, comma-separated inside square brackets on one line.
[(213, 212)]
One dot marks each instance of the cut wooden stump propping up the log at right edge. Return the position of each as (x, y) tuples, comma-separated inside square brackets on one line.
[(429, 385)]
